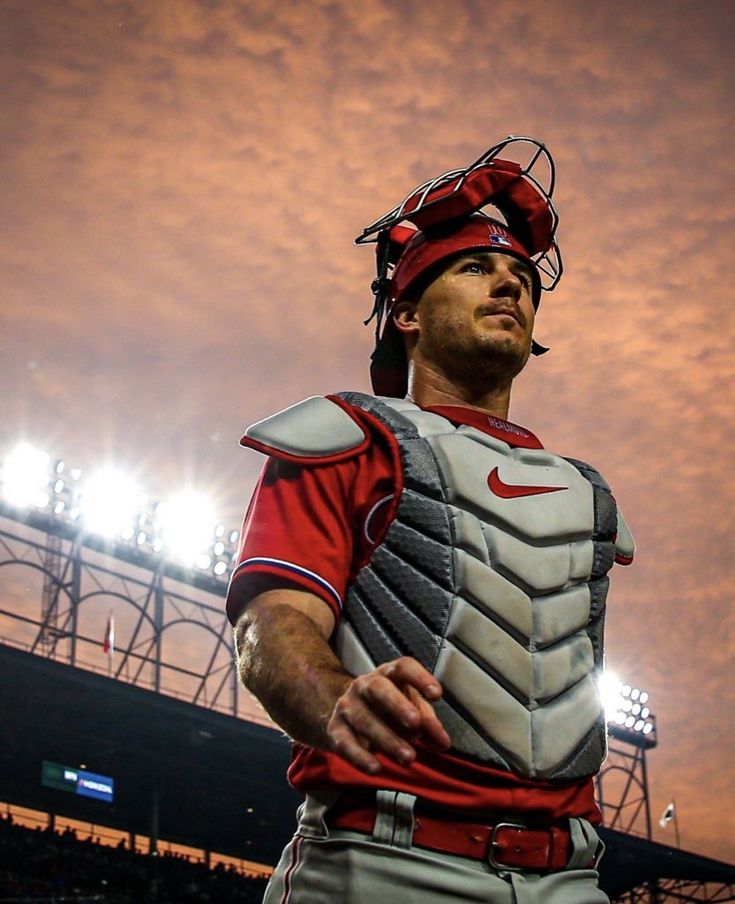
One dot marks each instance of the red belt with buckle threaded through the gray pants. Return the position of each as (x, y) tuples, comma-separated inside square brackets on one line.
[(506, 845)]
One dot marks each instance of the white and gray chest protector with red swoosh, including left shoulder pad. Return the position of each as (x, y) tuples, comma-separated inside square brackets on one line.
[(493, 575)]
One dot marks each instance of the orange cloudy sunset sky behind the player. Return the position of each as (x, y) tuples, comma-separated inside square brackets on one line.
[(181, 183)]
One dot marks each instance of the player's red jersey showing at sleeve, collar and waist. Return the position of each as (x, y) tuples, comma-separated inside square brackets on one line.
[(315, 527)]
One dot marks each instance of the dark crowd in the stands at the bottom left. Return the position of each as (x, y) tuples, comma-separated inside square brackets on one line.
[(44, 865)]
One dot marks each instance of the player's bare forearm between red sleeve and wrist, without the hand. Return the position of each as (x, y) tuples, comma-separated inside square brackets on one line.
[(285, 661)]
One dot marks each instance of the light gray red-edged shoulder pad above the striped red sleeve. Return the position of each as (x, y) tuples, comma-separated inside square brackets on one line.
[(317, 428)]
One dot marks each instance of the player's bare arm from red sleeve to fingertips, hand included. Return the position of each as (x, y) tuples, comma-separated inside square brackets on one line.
[(285, 659)]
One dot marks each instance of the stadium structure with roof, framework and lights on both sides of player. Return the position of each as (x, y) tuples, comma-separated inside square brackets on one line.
[(160, 723)]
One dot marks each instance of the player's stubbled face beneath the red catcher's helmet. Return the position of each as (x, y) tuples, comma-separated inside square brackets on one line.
[(475, 319)]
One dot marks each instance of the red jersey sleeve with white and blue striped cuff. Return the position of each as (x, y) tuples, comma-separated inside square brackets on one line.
[(307, 526)]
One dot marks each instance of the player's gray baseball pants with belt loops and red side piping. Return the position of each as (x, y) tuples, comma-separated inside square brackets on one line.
[(337, 866)]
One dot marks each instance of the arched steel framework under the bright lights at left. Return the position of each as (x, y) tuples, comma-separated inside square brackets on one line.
[(153, 599)]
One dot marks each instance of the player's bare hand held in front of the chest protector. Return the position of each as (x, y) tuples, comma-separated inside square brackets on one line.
[(386, 711)]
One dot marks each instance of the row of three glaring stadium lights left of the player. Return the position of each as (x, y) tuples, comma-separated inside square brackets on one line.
[(109, 504)]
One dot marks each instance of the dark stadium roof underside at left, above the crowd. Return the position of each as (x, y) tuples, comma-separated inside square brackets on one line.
[(188, 774)]
